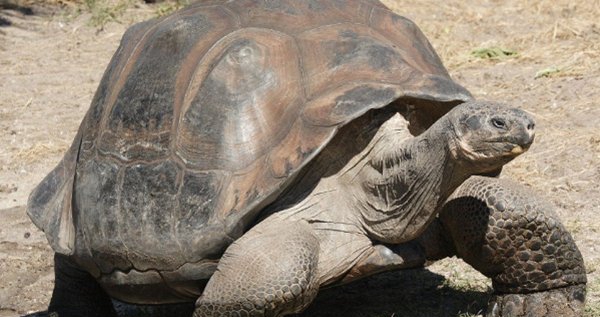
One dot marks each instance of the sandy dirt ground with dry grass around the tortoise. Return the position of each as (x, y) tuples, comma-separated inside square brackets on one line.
[(51, 60)]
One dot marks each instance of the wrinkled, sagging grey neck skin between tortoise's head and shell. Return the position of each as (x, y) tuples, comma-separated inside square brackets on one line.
[(404, 183)]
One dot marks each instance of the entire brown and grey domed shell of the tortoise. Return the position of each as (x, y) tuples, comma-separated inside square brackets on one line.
[(204, 116)]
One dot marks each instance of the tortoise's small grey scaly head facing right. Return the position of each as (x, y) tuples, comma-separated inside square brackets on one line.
[(488, 134)]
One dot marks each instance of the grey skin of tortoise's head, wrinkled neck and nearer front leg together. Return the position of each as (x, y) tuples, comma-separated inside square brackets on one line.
[(388, 193)]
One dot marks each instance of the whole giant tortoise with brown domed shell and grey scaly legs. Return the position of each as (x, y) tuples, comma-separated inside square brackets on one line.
[(243, 154)]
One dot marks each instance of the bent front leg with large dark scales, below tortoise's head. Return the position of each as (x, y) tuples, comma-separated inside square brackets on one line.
[(513, 236)]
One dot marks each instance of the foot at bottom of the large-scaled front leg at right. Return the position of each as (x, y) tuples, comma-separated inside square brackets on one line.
[(564, 302)]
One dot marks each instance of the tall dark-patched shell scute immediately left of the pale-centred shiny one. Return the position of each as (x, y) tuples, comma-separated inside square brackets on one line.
[(140, 106)]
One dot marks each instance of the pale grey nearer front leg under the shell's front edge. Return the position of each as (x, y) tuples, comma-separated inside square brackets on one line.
[(270, 271)]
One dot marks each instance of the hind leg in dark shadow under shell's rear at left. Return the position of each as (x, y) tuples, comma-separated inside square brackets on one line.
[(76, 292)]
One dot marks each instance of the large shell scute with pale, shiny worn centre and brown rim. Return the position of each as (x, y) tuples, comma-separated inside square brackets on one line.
[(241, 100)]
